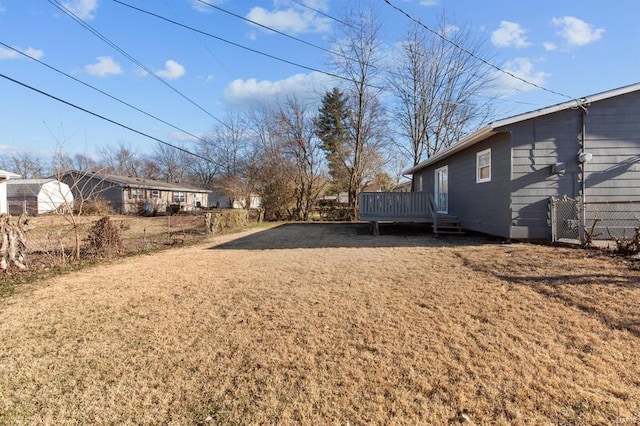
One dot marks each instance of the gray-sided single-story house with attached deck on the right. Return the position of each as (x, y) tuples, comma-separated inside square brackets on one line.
[(499, 180)]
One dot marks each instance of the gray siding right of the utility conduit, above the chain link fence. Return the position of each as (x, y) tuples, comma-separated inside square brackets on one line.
[(613, 137)]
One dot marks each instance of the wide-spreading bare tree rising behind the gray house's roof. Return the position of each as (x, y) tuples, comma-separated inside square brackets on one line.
[(438, 88)]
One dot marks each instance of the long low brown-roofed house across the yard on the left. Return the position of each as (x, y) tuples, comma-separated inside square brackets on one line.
[(127, 194)]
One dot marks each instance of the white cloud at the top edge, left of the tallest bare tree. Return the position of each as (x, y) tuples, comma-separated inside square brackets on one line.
[(293, 20)]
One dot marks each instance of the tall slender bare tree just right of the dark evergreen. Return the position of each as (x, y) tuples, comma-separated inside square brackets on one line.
[(359, 59)]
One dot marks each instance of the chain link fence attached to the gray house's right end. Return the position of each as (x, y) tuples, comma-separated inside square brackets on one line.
[(598, 224)]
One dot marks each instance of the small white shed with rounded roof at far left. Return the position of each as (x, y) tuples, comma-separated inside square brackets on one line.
[(38, 196)]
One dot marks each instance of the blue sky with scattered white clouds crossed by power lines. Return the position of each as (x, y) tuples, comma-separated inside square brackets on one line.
[(573, 47)]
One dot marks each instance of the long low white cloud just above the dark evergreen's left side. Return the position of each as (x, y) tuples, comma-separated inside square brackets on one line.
[(245, 93)]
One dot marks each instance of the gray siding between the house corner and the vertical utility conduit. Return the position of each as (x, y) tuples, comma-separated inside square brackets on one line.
[(538, 144)]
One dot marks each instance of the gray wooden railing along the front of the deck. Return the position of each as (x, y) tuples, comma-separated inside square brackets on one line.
[(395, 206)]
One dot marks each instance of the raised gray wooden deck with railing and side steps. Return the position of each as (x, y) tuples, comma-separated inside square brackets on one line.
[(414, 207)]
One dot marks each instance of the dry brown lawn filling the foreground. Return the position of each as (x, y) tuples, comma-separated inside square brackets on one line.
[(324, 324)]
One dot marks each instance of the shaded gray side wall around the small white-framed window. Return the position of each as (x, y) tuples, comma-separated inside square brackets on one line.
[(482, 207)]
